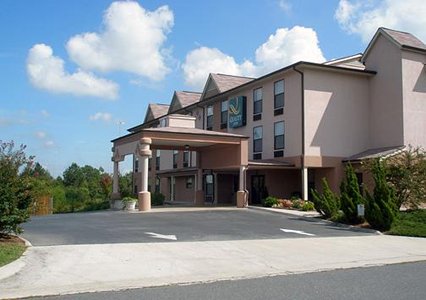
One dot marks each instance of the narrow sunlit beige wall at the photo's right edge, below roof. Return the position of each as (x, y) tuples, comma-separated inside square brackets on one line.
[(414, 93)]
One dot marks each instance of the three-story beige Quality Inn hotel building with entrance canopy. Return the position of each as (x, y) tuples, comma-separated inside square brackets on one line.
[(242, 138)]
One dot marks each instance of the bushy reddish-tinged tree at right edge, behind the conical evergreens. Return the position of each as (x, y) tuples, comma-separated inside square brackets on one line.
[(406, 172)]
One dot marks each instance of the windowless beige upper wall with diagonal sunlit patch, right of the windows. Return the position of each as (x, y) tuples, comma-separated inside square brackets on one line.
[(336, 113)]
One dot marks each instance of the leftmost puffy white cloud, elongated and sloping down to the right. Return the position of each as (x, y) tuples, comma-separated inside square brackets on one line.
[(46, 71)]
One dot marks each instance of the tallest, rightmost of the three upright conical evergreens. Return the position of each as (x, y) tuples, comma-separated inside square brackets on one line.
[(380, 207)]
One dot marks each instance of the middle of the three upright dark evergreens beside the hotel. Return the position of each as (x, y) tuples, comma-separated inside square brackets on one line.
[(350, 195)]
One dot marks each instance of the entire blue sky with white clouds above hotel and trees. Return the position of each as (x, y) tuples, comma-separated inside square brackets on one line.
[(76, 74)]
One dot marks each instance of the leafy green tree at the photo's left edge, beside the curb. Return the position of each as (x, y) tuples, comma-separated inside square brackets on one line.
[(15, 186)]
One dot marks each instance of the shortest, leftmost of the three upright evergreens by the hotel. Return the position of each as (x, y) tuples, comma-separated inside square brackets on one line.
[(327, 203)]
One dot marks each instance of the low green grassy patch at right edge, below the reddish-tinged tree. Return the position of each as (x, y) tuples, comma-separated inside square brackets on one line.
[(410, 223)]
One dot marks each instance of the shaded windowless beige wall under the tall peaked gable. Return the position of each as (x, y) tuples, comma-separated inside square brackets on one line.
[(386, 117)]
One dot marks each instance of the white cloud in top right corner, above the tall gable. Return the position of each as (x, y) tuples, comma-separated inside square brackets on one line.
[(364, 17)]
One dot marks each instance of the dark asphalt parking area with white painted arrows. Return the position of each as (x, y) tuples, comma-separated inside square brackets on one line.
[(213, 224)]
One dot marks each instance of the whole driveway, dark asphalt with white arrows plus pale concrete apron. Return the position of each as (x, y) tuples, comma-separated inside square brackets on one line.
[(114, 250)]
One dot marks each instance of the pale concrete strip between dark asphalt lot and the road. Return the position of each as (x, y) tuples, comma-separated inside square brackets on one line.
[(87, 268)]
